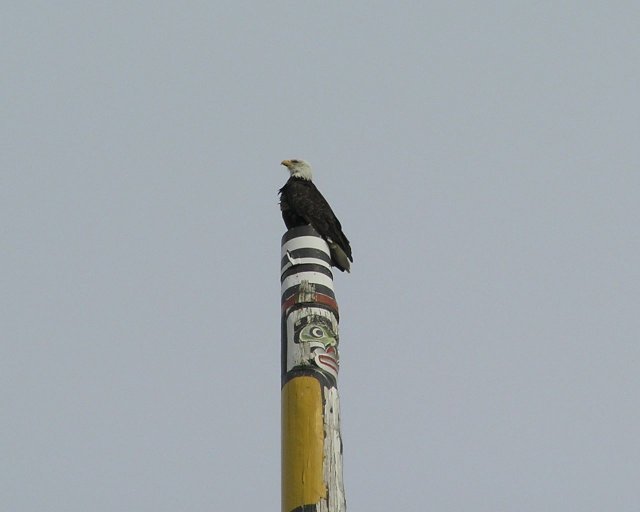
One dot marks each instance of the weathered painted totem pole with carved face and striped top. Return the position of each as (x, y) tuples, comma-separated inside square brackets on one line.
[(311, 442)]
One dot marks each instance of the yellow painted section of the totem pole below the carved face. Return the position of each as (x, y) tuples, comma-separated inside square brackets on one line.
[(302, 443)]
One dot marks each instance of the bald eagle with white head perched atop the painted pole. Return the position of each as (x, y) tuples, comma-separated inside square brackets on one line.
[(302, 203)]
